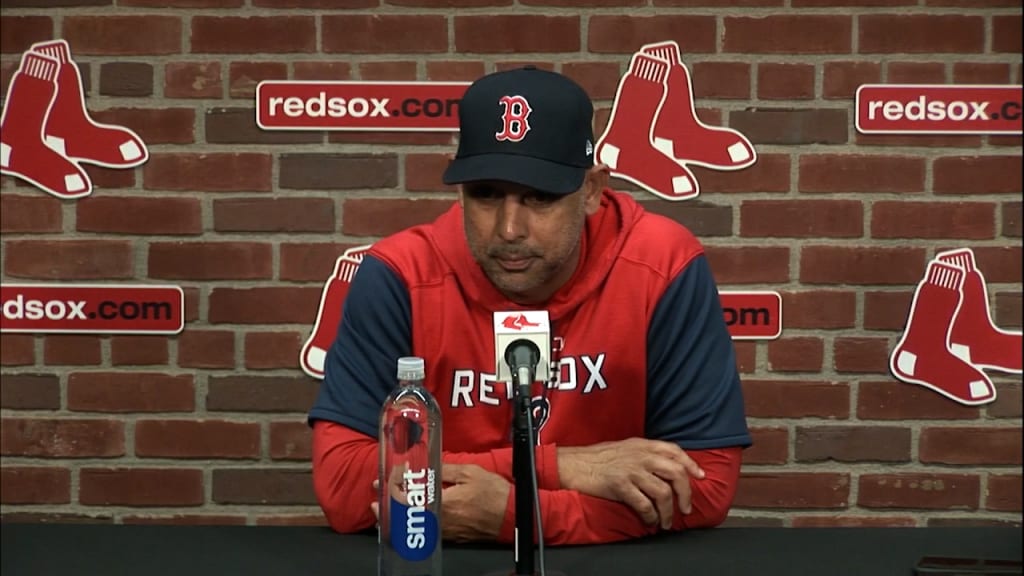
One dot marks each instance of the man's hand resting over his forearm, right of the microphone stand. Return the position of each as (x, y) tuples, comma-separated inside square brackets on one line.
[(643, 474)]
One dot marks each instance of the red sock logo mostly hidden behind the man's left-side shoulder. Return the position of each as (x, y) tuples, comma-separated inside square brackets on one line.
[(314, 355)]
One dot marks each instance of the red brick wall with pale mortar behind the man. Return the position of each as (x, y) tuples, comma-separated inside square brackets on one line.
[(208, 427)]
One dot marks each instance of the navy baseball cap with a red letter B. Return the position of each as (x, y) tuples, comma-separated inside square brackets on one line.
[(528, 127)]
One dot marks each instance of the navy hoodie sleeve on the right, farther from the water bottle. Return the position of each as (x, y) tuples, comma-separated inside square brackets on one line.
[(694, 392)]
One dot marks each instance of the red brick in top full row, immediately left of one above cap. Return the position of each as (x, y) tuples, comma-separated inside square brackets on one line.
[(385, 34)]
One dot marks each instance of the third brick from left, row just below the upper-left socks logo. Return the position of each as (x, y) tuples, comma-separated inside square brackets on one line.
[(274, 215)]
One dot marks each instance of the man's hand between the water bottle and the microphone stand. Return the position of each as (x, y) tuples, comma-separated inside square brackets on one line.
[(474, 507)]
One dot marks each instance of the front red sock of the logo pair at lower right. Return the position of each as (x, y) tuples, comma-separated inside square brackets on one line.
[(923, 355)]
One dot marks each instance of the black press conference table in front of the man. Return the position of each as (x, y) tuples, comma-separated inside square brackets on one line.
[(42, 550)]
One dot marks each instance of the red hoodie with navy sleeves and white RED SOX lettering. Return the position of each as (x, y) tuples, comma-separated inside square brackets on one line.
[(646, 353)]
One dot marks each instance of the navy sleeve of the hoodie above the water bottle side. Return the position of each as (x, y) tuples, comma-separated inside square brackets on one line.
[(375, 332)]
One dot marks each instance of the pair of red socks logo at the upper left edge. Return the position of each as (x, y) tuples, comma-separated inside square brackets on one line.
[(48, 133)]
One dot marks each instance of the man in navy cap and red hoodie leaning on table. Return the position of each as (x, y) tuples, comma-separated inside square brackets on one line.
[(646, 430)]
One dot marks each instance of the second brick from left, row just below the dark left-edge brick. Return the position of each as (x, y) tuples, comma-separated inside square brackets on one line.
[(197, 439)]
